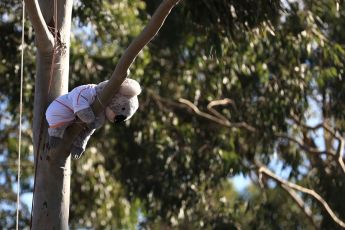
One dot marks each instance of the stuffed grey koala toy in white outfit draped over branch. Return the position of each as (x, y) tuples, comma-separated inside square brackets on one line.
[(64, 110)]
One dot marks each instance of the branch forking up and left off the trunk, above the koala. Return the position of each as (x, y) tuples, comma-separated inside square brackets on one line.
[(44, 39)]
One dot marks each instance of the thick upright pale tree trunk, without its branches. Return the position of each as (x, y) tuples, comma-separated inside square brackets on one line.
[(52, 179)]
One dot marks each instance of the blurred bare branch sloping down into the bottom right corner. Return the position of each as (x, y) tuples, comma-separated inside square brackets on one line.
[(316, 196)]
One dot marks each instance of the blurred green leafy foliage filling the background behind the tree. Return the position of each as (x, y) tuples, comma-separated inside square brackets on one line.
[(168, 167)]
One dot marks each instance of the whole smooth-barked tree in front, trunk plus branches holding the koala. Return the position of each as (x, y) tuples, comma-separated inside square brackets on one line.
[(52, 181)]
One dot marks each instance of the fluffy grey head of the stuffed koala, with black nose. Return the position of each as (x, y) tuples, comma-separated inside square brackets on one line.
[(125, 103)]
